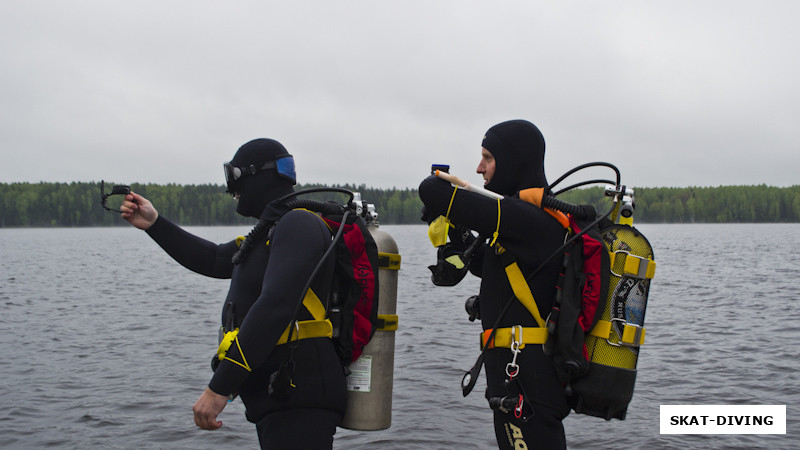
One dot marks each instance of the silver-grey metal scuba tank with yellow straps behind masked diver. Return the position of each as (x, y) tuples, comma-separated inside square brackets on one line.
[(369, 385)]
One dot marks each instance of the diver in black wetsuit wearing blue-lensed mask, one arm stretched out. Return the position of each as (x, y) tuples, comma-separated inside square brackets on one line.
[(265, 290)]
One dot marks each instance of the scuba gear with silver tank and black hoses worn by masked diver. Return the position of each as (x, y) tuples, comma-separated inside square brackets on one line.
[(370, 376)]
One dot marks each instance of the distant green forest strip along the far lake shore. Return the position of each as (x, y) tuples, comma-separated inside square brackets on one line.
[(77, 204)]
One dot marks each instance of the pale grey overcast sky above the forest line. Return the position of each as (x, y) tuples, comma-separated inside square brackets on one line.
[(675, 93)]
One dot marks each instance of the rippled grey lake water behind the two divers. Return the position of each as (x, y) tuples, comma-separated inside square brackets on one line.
[(108, 343)]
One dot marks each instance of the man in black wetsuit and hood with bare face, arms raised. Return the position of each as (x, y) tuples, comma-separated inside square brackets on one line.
[(512, 159)]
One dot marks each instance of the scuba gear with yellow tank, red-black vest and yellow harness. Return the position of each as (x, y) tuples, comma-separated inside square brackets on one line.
[(596, 325)]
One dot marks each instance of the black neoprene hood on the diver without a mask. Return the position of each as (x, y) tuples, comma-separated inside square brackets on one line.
[(518, 149)]
